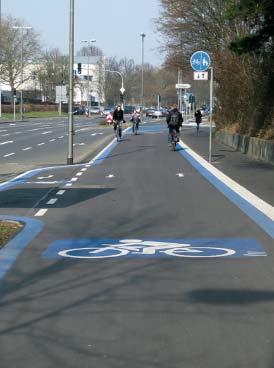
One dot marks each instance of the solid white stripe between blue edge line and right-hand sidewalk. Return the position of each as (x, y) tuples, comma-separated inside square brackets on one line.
[(257, 202)]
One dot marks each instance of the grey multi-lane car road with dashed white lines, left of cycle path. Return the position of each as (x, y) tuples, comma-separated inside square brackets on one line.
[(43, 142)]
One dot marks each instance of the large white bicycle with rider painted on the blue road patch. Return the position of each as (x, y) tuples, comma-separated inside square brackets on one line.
[(136, 247)]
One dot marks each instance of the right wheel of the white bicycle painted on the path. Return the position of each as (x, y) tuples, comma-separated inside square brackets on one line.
[(200, 252)]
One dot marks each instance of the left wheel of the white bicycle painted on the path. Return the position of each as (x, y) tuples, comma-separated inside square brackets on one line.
[(87, 253)]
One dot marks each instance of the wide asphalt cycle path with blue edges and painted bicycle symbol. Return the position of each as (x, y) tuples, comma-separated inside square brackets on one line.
[(139, 258)]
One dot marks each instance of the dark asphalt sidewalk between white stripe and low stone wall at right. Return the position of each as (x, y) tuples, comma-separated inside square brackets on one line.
[(256, 176)]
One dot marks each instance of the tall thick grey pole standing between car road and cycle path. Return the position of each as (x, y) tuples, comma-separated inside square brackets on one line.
[(71, 64)]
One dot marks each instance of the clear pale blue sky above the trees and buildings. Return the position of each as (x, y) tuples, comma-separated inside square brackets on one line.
[(116, 25)]
